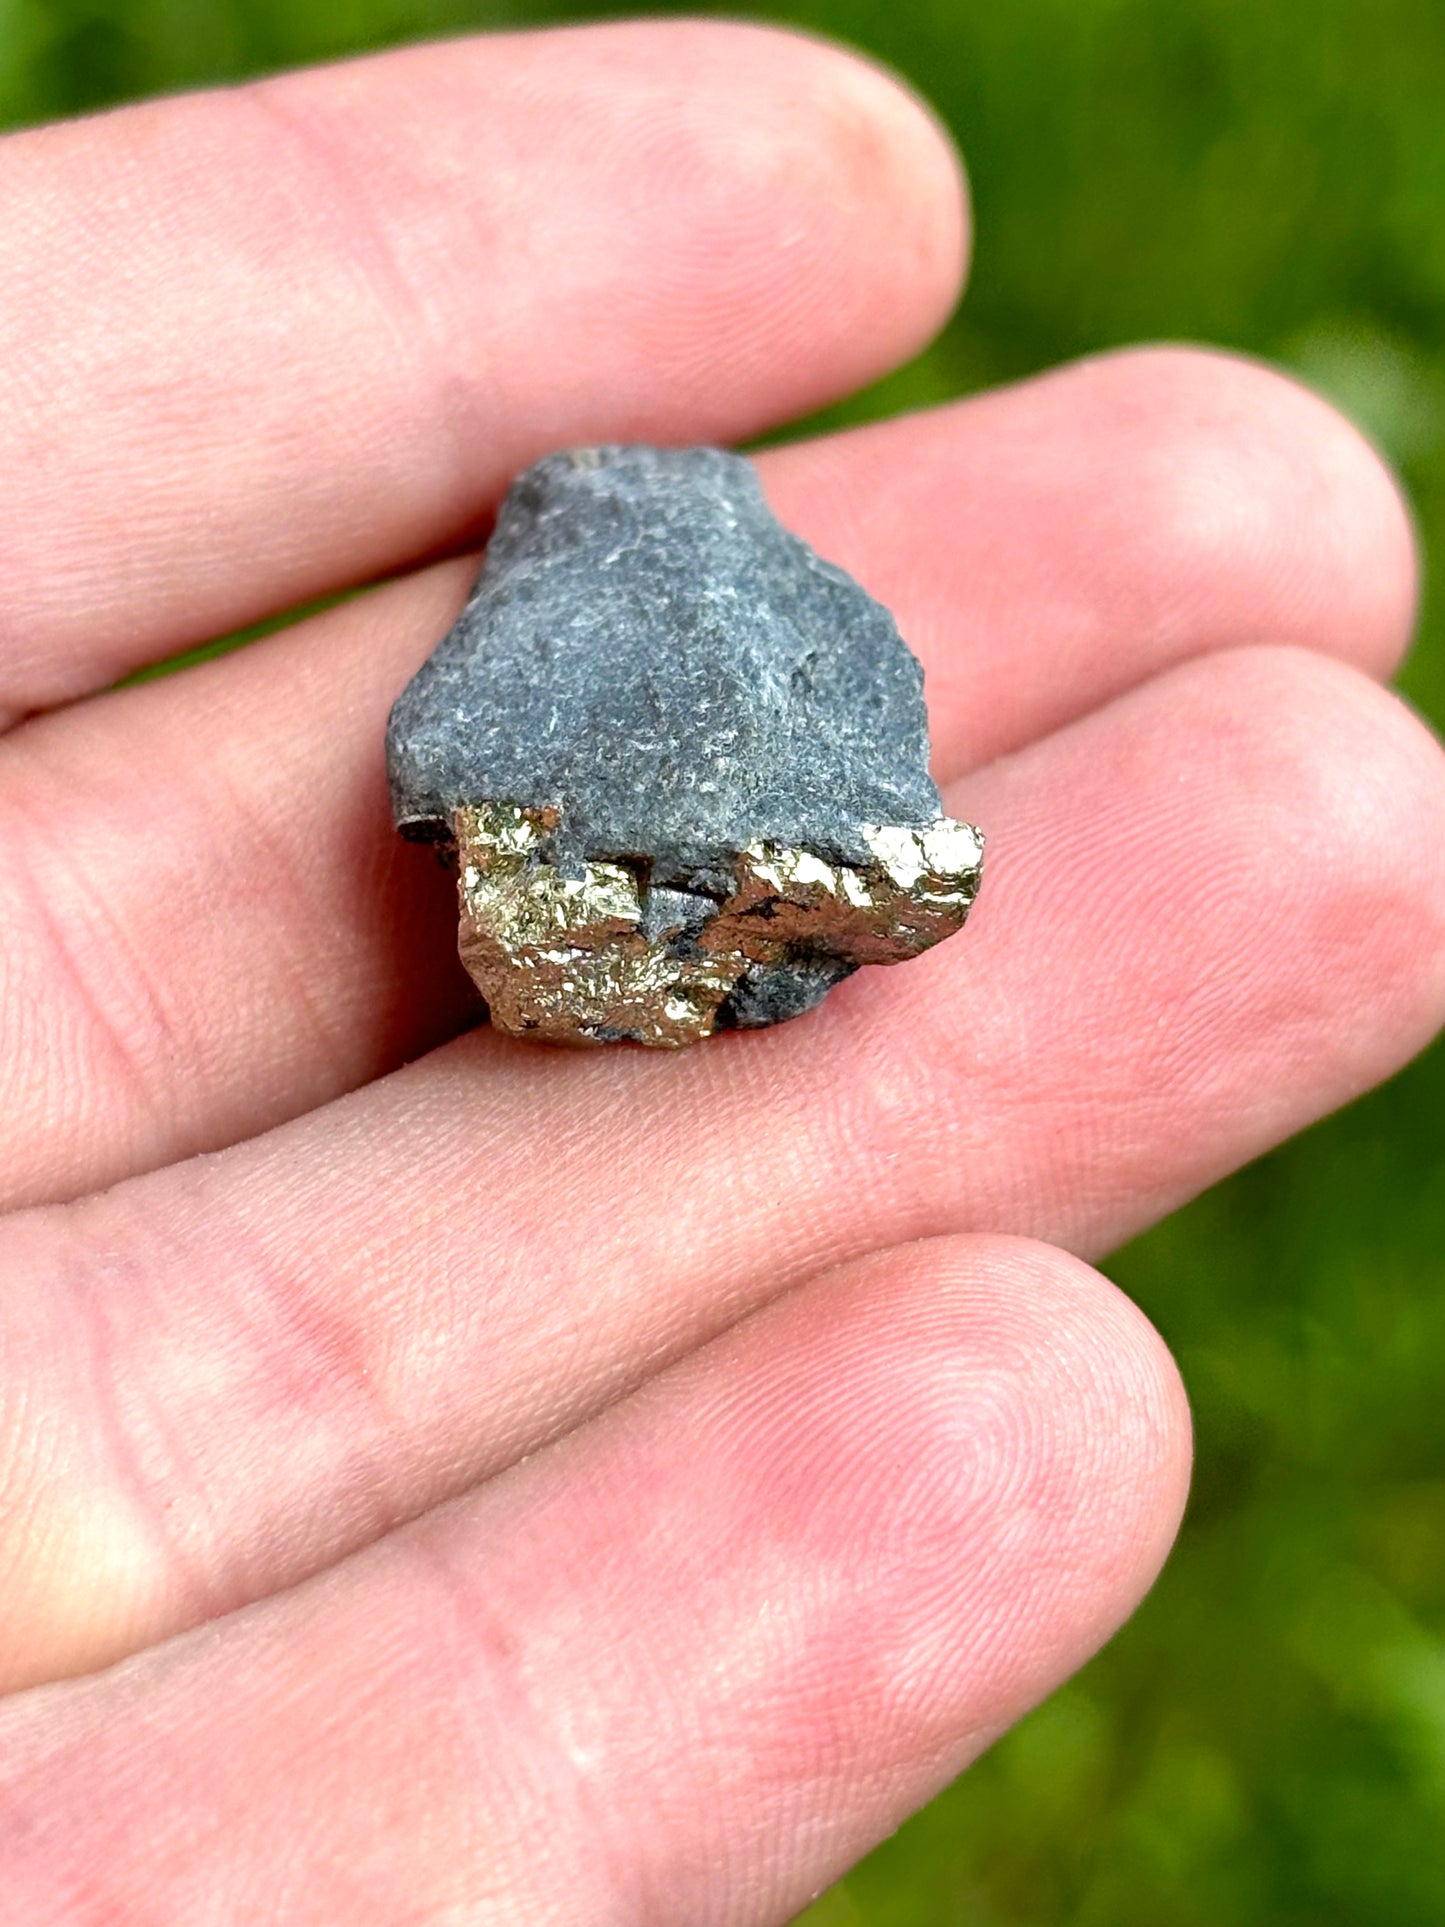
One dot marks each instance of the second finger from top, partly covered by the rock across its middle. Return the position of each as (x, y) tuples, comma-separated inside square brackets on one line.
[(215, 928)]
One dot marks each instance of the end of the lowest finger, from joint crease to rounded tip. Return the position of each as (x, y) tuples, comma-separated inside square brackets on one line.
[(870, 1527)]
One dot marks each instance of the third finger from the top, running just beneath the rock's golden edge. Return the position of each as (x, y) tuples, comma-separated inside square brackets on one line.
[(1215, 912)]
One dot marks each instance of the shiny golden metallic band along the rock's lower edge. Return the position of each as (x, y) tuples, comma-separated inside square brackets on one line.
[(567, 961)]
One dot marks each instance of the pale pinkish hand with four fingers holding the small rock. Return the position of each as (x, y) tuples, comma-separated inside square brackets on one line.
[(450, 1483)]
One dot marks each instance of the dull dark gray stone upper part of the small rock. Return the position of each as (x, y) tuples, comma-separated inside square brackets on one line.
[(656, 656)]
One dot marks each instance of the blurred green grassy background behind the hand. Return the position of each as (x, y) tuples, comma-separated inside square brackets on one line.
[(1267, 1741)]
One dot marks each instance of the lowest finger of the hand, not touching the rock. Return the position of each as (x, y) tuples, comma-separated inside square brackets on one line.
[(683, 1668)]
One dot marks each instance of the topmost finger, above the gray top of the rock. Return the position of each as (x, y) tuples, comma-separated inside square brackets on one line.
[(275, 340)]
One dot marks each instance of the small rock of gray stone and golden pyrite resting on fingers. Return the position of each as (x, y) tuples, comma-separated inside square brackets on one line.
[(683, 762)]
